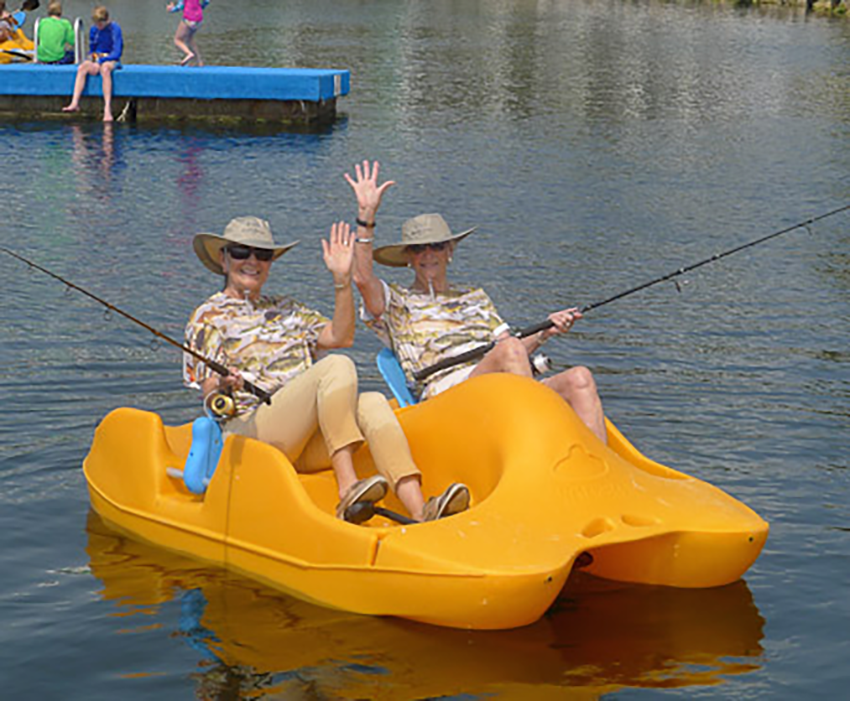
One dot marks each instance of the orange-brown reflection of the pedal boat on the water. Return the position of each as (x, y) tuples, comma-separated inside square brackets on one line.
[(598, 637)]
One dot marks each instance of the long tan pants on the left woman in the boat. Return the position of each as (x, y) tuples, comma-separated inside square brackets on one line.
[(319, 412)]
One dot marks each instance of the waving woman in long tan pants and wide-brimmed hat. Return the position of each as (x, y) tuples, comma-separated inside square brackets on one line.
[(316, 416)]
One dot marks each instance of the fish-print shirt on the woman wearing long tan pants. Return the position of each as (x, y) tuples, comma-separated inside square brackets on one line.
[(270, 341)]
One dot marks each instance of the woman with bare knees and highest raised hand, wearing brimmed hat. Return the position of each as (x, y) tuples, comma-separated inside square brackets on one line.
[(434, 319)]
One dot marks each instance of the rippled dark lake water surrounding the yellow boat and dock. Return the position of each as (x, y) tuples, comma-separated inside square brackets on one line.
[(596, 145)]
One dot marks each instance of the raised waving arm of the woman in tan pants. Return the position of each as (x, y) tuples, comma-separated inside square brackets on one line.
[(339, 256)]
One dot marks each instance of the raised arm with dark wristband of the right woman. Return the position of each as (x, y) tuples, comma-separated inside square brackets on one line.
[(369, 194)]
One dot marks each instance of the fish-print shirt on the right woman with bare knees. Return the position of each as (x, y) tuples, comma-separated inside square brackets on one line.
[(422, 330)]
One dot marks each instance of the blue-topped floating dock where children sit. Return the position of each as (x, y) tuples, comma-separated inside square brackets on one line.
[(219, 92)]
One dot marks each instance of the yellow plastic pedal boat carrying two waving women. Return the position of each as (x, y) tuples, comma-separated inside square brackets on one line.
[(544, 491)]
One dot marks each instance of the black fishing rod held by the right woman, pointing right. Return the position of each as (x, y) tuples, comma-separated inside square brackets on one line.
[(477, 352)]
